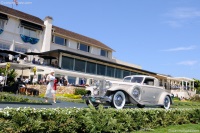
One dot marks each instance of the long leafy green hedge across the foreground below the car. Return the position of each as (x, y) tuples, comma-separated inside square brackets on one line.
[(91, 120)]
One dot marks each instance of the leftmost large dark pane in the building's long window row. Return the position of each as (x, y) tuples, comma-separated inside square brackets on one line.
[(67, 63)]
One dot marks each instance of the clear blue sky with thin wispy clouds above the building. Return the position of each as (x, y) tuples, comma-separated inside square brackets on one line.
[(162, 36)]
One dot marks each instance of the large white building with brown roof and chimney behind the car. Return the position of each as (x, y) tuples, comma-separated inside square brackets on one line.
[(76, 56)]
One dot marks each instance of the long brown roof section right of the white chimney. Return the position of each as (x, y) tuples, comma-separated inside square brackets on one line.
[(80, 38)]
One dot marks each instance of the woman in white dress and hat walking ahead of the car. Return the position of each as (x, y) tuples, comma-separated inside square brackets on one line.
[(50, 92)]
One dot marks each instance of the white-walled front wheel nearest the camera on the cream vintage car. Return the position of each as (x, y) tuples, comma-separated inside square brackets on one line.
[(118, 100)]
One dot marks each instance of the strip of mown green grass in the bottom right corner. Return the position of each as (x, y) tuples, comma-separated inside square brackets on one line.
[(185, 128)]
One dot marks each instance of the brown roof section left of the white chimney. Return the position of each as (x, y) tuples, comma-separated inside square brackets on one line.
[(21, 15)]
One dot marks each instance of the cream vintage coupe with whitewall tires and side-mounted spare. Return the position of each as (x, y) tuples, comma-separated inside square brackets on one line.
[(140, 90)]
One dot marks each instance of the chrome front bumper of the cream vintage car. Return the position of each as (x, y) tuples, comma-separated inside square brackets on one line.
[(98, 99)]
